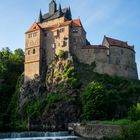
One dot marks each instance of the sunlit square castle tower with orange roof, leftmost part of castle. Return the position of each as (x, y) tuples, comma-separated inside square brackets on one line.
[(33, 52)]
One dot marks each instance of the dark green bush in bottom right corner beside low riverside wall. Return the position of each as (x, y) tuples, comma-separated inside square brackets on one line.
[(132, 131)]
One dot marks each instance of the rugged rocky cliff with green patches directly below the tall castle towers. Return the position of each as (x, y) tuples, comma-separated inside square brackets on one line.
[(53, 102)]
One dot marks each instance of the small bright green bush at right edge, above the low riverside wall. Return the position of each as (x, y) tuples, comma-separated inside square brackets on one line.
[(134, 112)]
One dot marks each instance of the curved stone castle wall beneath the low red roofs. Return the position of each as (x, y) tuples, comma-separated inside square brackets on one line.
[(114, 61)]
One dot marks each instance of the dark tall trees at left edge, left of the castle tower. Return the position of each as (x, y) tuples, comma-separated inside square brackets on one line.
[(11, 67)]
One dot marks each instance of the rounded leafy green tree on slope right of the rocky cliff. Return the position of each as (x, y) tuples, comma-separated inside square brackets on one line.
[(93, 98)]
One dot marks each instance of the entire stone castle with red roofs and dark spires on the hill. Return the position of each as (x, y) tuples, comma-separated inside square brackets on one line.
[(57, 31)]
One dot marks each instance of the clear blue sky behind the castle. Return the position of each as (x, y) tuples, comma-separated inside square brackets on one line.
[(118, 19)]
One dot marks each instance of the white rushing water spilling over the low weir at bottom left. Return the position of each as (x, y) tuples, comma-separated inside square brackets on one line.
[(39, 136)]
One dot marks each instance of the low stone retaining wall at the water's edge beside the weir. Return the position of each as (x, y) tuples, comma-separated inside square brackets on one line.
[(96, 131)]
